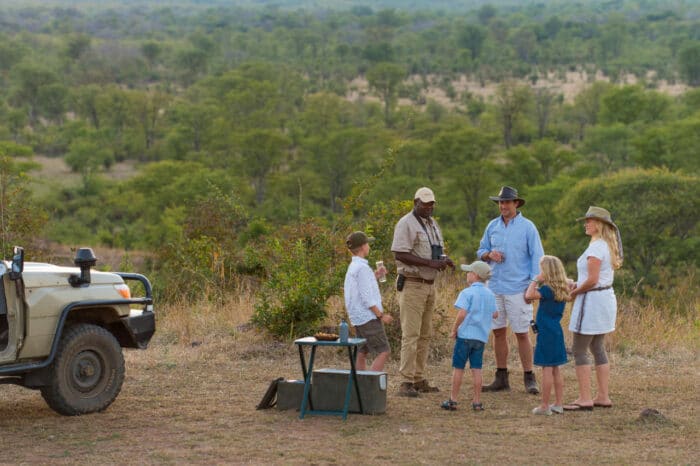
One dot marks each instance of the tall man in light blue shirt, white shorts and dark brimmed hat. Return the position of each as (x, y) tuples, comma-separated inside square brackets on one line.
[(512, 247)]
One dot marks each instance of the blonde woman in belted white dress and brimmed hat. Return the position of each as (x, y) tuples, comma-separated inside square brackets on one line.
[(595, 307)]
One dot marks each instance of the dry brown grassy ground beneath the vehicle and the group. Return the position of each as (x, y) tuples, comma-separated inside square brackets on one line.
[(196, 405)]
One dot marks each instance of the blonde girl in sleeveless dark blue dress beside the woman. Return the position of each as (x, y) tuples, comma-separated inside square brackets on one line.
[(551, 288)]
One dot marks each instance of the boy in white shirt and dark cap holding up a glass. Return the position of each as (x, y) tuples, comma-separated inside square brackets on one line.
[(363, 303)]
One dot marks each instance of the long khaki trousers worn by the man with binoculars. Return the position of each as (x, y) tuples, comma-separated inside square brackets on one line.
[(416, 305)]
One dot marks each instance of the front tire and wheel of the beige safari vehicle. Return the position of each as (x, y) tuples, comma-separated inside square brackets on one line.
[(87, 373)]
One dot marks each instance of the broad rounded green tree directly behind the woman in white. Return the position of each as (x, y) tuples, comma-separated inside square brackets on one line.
[(657, 233)]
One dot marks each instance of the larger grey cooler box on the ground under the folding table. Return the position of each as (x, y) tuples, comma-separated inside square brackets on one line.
[(329, 385)]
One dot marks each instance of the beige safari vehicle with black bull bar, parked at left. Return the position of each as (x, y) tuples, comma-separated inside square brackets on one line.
[(62, 330)]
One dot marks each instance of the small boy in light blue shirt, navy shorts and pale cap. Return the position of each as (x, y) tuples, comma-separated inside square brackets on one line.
[(476, 306)]
